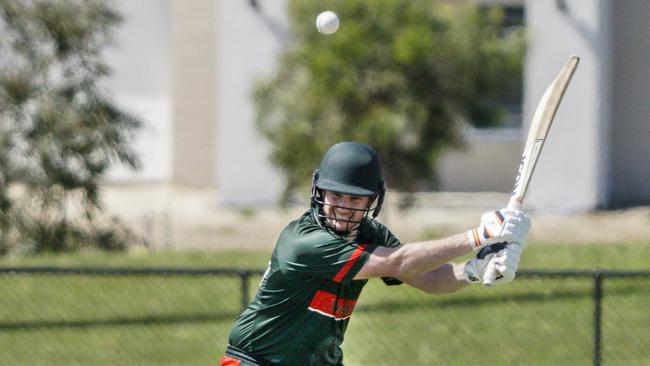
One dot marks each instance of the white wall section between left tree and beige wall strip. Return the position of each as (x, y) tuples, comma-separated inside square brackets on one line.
[(141, 84)]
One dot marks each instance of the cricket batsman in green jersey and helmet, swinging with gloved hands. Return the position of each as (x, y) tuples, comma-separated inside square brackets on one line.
[(322, 261)]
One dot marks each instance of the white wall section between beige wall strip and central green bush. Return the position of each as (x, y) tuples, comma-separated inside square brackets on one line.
[(249, 39)]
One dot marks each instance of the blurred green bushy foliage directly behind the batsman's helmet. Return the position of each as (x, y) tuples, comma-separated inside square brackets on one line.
[(400, 75)]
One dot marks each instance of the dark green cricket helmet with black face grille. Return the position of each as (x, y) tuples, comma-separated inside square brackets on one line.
[(349, 168)]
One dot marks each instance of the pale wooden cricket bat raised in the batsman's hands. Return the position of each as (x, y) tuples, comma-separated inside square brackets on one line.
[(539, 127)]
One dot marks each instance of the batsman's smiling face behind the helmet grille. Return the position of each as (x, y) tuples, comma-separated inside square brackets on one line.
[(343, 211)]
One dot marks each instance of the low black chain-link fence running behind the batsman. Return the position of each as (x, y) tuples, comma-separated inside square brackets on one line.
[(93, 316)]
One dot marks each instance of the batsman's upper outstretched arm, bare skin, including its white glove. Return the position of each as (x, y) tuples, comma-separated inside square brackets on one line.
[(408, 261)]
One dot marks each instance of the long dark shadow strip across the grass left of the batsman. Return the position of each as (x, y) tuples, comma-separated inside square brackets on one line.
[(169, 319)]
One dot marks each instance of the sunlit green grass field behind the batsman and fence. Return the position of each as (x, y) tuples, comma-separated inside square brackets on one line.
[(154, 320)]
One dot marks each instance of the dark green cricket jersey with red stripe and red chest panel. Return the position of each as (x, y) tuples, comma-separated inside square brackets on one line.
[(307, 295)]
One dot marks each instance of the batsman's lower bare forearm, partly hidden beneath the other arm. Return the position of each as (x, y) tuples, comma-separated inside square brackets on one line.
[(444, 279)]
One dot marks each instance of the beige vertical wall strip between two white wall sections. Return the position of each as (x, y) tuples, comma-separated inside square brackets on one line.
[(194, 31)]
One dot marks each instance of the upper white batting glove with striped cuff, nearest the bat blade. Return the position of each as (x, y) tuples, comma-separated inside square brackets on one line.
[(501, 226)]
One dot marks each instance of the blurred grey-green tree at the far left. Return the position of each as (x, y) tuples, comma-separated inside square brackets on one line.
[(59, 131)]
